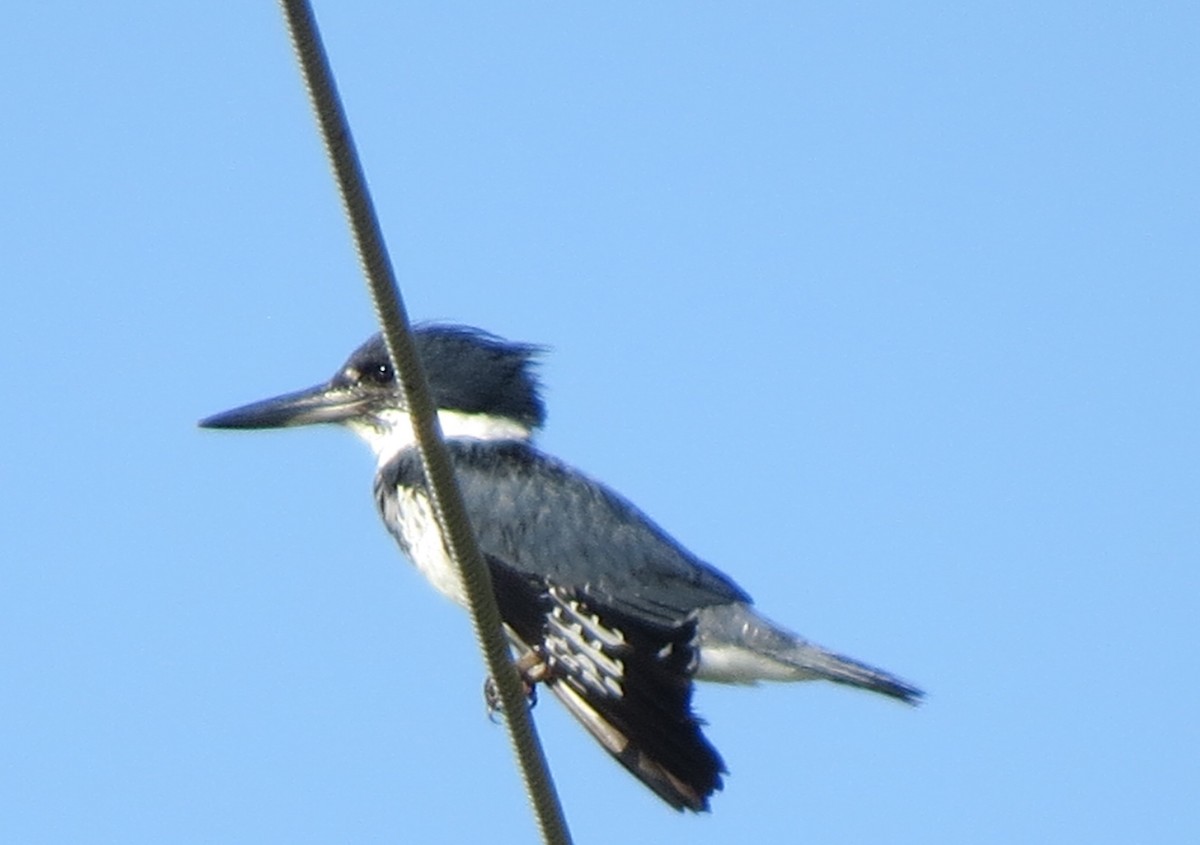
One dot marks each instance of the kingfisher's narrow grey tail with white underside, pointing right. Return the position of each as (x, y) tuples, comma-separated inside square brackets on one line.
[(740, 646)]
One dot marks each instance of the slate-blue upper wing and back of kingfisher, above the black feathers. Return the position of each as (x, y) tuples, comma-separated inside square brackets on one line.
[(543, 519)]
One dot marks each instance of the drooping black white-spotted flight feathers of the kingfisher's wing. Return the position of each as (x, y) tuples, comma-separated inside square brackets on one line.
[(628, 681)]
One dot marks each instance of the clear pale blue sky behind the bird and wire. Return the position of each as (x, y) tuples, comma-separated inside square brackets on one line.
[(889, 310)]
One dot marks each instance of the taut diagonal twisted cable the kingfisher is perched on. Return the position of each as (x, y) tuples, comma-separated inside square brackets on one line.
[(443, 490)]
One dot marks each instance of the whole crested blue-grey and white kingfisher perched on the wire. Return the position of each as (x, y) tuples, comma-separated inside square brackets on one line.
[(601, 606)]
